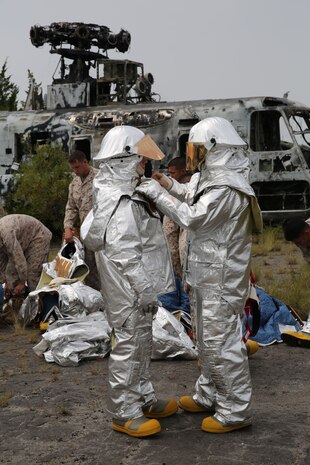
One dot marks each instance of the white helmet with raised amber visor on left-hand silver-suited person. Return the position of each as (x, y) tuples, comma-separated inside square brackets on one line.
[(126, 141)]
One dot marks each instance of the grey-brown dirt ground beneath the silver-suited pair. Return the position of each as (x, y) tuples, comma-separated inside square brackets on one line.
[(56, 415)]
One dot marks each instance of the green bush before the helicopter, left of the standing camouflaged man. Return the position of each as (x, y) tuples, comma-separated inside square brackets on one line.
[(41, 188)]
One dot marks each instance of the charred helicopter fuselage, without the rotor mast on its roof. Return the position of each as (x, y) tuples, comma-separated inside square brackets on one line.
[(278, 138)]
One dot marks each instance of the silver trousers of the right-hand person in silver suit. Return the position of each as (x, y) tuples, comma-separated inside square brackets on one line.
[(225, 381)]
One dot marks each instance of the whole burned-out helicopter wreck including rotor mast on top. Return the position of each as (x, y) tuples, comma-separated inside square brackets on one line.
[(80, 109)]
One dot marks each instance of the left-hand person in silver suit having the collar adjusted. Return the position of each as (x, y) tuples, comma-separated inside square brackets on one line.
[(134, 266)]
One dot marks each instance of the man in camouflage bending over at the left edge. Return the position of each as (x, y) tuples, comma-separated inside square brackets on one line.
[(24, 247)]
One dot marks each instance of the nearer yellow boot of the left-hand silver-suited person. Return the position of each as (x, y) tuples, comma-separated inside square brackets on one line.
[(138, 427)]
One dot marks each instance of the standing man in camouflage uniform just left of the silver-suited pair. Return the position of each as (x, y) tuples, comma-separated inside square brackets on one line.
[(79, 204)]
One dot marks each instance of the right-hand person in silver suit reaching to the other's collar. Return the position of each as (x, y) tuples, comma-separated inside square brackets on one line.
[(220, 211)]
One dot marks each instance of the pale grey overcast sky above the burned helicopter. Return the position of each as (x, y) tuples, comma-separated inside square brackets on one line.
[(195, 49)]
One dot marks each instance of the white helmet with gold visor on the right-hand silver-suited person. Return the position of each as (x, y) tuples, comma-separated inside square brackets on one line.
[(208, 133)]
